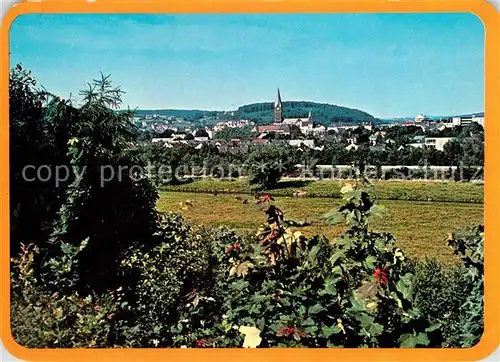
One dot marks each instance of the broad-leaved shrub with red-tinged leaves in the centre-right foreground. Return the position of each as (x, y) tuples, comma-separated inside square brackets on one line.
[(309, 292)]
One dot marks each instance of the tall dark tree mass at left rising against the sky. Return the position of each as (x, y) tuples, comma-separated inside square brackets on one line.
[(108, 205)]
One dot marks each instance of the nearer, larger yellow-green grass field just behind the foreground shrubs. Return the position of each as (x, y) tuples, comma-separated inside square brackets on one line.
[(421, 228)]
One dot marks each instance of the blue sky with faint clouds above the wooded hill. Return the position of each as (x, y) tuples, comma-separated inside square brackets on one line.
[(386, 64)]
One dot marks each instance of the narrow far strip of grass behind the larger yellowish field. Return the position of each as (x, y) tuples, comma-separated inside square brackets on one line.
[(464, 192)]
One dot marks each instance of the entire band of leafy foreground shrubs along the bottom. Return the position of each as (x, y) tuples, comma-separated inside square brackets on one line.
[(199, 288)]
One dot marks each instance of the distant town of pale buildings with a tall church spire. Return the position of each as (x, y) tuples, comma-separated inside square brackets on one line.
[(299, 131)]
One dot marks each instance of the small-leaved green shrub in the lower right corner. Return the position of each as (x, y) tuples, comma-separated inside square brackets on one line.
[(454, 296)]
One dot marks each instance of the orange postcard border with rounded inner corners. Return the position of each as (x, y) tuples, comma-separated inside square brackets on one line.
[(485, 11)]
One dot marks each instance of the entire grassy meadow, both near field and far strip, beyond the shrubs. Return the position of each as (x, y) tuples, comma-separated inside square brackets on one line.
[(421, 228)]
